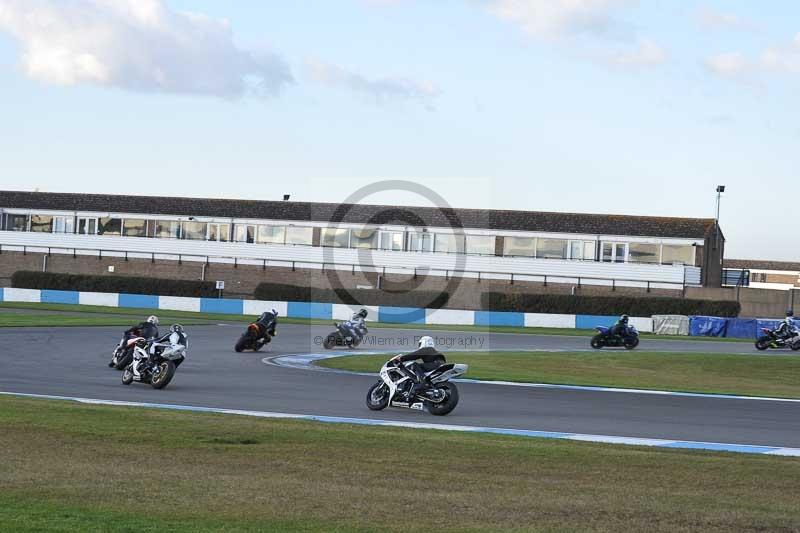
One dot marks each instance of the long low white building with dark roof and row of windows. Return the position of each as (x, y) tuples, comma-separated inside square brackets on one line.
[(594, 249)]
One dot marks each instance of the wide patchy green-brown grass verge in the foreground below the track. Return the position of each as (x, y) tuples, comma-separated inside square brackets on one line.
[(71, 467)]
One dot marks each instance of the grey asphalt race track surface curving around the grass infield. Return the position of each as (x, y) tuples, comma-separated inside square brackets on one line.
[(72, 362)]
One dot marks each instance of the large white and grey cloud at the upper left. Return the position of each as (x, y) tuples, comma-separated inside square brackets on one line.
[(138, 45)]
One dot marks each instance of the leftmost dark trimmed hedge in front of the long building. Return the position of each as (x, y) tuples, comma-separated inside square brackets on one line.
[(122, 284)]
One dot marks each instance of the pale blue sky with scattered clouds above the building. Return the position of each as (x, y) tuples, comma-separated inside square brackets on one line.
[(602, 106)]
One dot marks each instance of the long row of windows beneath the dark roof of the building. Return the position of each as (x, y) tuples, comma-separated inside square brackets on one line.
[(373, 239)]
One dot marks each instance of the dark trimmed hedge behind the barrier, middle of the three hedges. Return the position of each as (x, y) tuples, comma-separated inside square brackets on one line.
[(295, 293)]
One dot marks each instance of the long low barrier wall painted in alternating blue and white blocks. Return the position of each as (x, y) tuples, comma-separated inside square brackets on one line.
[(322, 311)]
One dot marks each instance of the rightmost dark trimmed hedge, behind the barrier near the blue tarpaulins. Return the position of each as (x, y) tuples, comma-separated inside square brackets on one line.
[(606, 305)]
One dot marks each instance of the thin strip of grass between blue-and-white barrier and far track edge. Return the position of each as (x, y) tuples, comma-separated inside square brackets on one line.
[(188, 315)]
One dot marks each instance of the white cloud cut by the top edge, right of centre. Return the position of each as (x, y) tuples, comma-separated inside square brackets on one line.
[(557, 18)]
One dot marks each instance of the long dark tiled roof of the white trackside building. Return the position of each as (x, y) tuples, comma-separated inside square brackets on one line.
[(502, 220)]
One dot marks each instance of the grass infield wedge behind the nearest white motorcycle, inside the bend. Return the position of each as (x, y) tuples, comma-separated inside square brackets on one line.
[(756, 375)]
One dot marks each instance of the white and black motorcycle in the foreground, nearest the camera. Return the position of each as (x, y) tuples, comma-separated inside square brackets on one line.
[(438, 395)]
